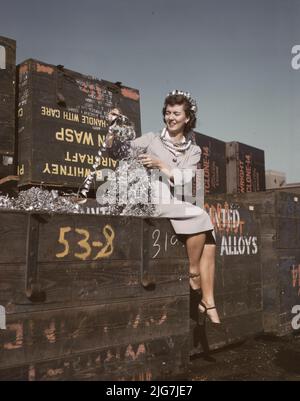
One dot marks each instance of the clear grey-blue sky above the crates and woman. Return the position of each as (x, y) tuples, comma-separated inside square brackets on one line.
[(234, 56)]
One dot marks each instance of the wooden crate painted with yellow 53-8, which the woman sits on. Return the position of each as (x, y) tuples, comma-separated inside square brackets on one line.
[(92, 298)]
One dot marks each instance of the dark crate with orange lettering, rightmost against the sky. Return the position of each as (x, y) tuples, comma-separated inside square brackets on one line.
[(245, 168)]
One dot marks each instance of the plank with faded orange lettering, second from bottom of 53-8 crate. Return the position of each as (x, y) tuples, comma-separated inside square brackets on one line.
[(43, 335)]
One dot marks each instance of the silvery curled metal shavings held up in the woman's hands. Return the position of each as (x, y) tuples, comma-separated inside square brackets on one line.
[(128, 188)]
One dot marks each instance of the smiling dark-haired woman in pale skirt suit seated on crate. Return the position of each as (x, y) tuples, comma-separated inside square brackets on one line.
[(170, 152)]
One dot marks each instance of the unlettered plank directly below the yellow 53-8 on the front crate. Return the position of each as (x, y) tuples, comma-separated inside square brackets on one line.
[(70, 284)]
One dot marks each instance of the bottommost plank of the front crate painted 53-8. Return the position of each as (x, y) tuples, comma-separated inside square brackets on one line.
[(135, 361)]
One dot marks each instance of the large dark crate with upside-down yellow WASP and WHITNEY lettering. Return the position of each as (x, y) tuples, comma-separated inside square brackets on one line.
[(62, 122)]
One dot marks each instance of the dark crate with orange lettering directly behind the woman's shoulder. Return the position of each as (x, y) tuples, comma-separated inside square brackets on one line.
[(213, 162)]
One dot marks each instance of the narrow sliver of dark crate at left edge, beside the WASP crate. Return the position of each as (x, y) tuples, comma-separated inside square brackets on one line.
[(7, 105)]
